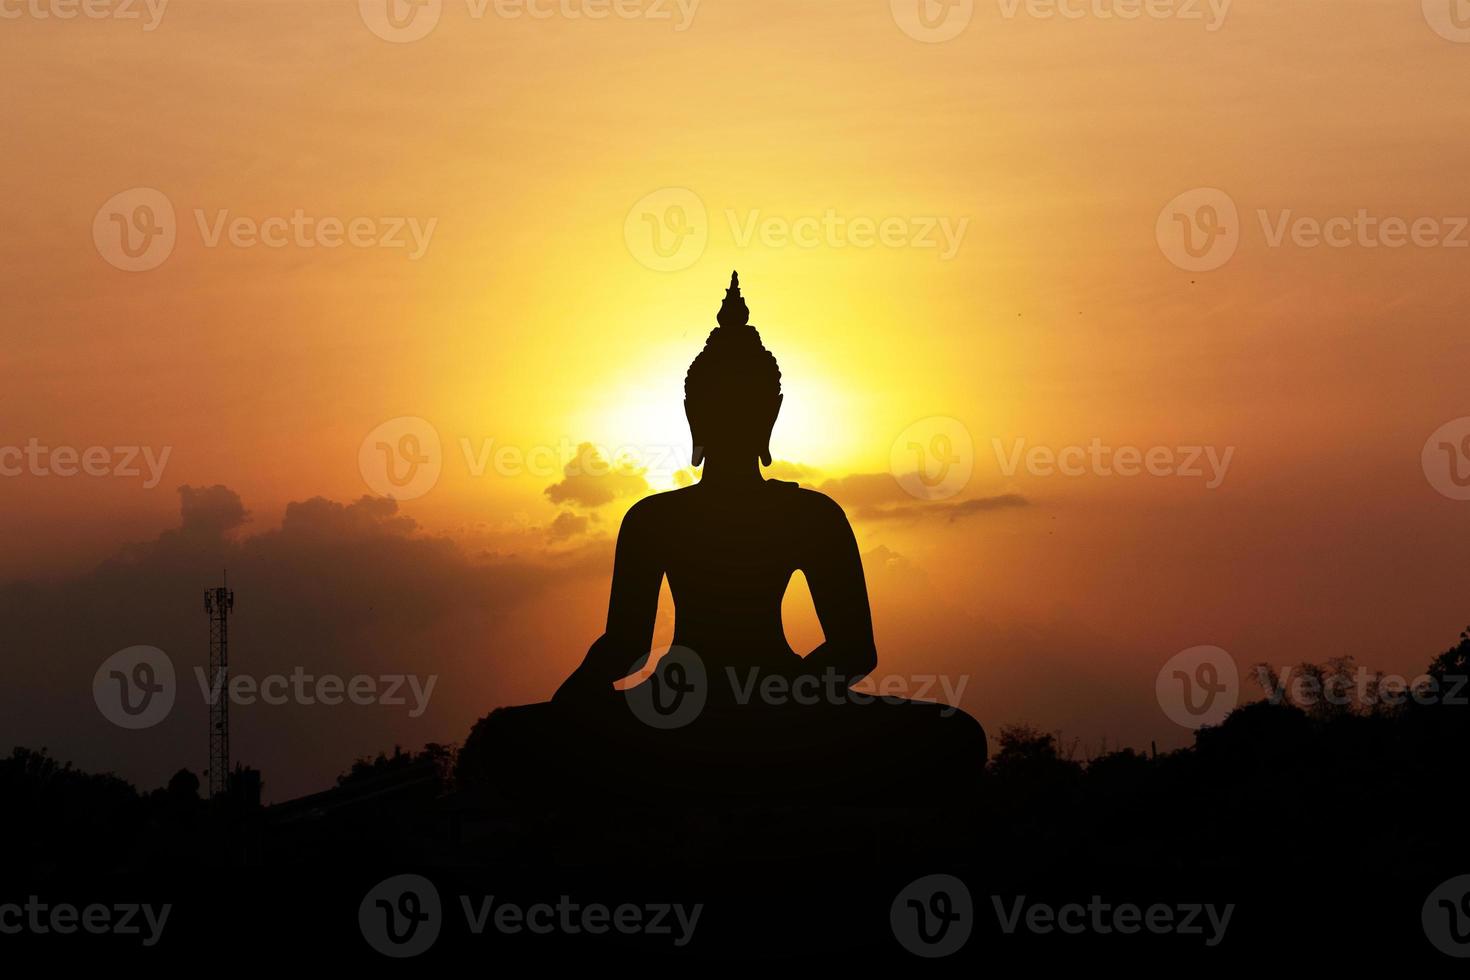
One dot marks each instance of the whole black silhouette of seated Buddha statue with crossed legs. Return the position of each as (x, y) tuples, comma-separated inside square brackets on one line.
[(728, 547)]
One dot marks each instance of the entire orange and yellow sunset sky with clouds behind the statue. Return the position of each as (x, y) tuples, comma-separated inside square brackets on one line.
[(1022, 287)]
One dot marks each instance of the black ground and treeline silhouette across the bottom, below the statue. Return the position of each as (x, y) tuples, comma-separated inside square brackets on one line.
[(1284, 838)]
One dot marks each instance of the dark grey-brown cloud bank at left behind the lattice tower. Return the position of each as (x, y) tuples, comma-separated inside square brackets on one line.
[(340, 588)]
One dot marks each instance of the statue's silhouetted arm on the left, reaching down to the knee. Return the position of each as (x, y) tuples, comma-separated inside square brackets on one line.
[(631, 612)]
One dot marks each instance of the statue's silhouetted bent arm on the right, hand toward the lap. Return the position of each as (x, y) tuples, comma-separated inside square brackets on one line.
[(834, 572)]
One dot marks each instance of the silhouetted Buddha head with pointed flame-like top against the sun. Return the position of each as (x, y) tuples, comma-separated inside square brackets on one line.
[(733, 392)]
